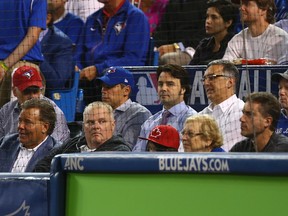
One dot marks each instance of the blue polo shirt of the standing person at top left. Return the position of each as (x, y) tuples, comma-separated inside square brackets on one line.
[(16, 17)]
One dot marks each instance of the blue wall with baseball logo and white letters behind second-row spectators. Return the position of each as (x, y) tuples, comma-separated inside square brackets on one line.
[(252, 78)]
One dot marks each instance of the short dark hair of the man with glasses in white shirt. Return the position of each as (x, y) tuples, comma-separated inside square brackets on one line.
[(228, 68)]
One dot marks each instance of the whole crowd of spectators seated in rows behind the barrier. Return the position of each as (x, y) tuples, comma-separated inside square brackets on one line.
[(43, 43)]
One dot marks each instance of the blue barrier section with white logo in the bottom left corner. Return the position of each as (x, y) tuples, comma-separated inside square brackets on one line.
[(24, 194)]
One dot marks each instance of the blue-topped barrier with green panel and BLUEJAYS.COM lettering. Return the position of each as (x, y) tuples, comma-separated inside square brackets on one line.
[(169, 184)]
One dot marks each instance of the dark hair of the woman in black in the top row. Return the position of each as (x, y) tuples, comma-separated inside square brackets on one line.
[(227, 10)]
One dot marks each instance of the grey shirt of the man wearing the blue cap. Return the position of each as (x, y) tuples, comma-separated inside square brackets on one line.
[(129, 117)]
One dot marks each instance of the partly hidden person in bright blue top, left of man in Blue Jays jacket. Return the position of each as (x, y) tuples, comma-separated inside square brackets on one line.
[(68, 23)]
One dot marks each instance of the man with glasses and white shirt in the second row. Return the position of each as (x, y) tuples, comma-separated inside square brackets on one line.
[(220, 82)]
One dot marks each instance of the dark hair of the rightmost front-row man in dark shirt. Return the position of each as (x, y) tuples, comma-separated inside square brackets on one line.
[(269, 106)]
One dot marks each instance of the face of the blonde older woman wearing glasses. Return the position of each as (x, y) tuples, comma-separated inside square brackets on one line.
[(193, 140)]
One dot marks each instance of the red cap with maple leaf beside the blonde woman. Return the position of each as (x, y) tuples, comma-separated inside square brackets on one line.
[(164, 135)]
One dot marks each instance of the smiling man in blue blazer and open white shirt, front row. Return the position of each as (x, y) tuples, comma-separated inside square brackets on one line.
[(21, 151)]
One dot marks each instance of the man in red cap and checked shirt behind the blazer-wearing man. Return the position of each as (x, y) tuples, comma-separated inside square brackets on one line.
[(27, 84)]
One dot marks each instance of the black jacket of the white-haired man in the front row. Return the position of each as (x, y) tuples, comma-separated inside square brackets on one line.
[(115, 143)]
